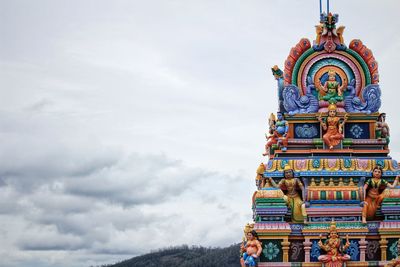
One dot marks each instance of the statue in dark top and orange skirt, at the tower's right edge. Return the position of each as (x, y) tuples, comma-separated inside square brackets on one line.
[(374, 193)]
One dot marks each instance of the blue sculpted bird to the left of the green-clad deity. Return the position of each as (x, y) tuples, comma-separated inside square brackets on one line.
[(294, 103)]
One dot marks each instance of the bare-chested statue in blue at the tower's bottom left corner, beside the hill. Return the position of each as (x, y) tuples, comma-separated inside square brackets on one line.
[(251, 249)]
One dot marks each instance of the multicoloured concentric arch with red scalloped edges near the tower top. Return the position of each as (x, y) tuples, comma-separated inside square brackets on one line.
[(356, 62)]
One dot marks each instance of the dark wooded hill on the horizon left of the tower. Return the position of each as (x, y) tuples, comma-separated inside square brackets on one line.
[(185, 256)]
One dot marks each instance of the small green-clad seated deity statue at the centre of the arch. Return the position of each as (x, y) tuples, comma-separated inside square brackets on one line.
[(331, 91)]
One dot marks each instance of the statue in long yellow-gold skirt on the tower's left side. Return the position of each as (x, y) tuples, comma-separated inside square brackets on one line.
[(291, 186)]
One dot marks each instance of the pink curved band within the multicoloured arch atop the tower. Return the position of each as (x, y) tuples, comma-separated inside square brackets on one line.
[(352, 66)]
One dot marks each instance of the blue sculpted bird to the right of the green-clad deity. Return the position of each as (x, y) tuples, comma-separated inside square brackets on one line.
[(371, 95)]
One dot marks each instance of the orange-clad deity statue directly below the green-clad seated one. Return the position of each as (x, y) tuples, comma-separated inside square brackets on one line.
[(333, 127)]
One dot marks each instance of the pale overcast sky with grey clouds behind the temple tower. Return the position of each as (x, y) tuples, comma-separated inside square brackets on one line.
[(128, 126)]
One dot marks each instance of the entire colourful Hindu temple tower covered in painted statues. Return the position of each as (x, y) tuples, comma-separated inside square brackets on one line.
[(327, 192)]
